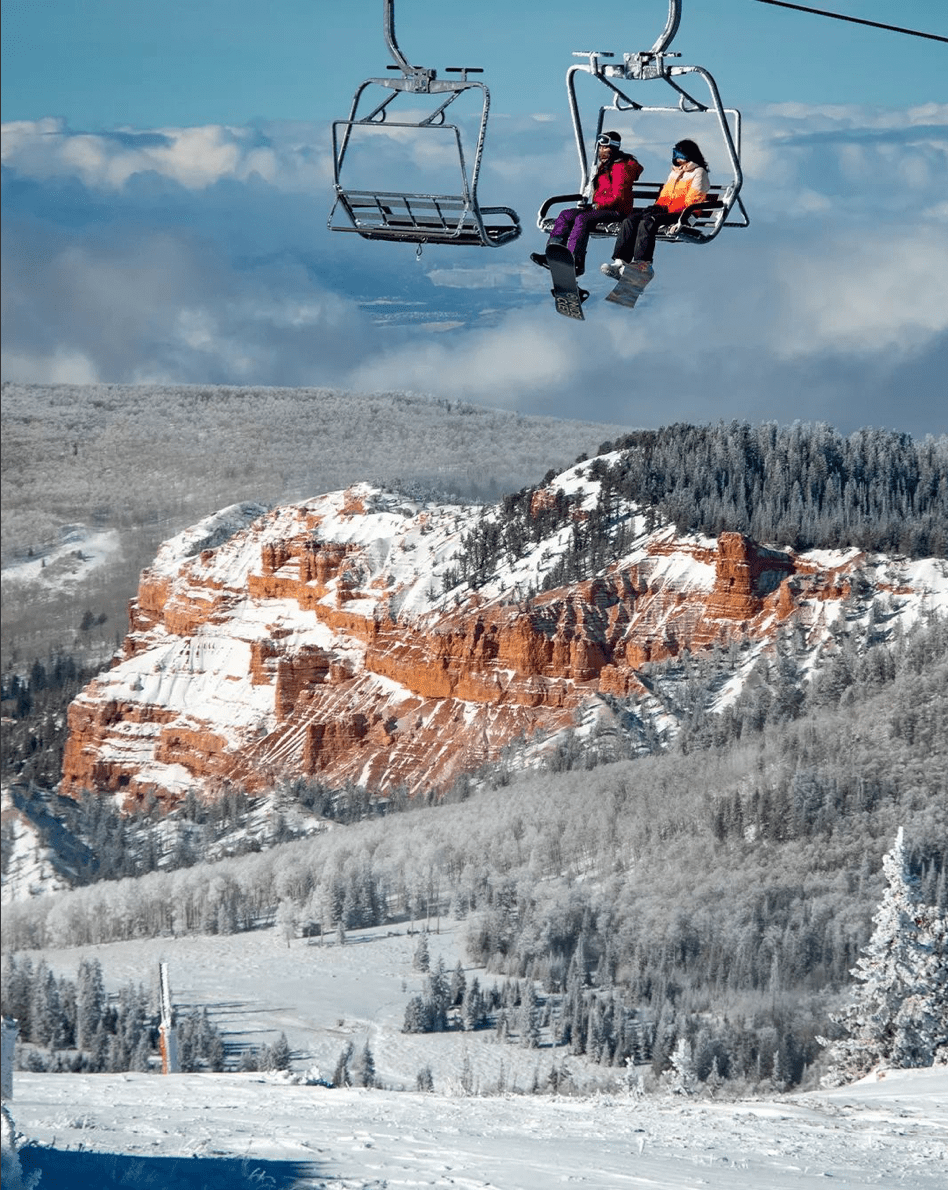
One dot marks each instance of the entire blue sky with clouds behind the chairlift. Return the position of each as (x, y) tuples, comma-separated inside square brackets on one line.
[(167, 178)]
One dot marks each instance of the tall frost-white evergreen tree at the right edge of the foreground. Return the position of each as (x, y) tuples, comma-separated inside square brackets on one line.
[(899, 1013)]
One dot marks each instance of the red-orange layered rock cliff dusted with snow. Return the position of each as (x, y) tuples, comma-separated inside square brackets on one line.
[(357, 637)]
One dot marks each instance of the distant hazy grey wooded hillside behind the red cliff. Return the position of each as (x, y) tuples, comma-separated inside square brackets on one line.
[(146, 461)]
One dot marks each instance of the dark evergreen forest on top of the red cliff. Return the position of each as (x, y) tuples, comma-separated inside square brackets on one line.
[(803, 487)]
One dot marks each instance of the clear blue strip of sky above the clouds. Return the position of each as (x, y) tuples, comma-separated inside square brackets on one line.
[(115, 62)]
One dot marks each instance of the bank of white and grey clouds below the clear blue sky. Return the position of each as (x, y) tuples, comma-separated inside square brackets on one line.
[(808, 312)]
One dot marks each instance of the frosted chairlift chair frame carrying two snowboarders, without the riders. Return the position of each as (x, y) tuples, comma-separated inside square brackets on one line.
[(701, 223)]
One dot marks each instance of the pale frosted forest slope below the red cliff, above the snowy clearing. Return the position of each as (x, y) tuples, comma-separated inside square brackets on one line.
[(636, 905)]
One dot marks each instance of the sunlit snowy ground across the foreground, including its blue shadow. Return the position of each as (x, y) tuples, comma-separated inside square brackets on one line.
[(253, 1130)]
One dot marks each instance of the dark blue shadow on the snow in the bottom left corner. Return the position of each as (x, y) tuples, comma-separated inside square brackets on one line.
[(70, 1169)]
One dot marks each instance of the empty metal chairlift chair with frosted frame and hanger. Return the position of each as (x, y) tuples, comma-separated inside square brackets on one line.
[(412, 217)]
